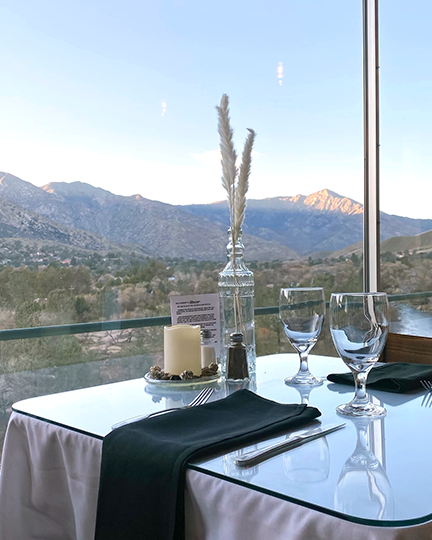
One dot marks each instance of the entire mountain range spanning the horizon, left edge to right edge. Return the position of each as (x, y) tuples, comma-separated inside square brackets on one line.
[(276, 228)]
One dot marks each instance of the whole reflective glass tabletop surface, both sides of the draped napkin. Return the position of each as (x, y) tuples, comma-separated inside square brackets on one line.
[(372, 472)]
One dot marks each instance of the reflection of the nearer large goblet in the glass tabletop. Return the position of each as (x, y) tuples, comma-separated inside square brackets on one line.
[(363, 487)]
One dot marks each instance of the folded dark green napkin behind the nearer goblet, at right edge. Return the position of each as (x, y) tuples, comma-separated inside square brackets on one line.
[(397, 377)]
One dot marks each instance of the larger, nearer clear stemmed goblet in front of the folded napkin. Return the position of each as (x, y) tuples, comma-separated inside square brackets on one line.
[(359, 324)]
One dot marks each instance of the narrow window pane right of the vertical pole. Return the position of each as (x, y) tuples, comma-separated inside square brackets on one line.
[(406, 162)]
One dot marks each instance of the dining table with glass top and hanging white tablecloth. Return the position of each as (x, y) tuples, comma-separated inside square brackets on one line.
[(370, 480)]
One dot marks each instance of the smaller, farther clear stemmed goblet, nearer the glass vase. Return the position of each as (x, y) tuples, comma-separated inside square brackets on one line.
[(302, 311)]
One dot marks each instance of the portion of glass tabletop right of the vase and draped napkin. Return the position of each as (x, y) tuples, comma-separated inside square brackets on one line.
[(371, 472)]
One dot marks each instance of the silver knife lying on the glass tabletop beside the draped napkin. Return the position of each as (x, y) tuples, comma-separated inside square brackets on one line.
[(295, 439)]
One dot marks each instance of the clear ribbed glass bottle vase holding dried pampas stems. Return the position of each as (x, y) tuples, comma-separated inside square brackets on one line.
[(236, 293)]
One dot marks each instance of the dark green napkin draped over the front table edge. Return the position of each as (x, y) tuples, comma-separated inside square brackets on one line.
[(142, 480)]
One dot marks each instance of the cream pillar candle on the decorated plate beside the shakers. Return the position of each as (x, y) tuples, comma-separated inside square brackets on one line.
[(182, 349)]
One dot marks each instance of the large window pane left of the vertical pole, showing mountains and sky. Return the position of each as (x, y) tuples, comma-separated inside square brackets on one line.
[(111, 175)]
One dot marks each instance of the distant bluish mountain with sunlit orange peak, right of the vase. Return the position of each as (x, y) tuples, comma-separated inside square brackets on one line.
[(322, 221)]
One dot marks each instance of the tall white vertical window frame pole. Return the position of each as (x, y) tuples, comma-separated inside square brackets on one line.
[(371, 224)]
